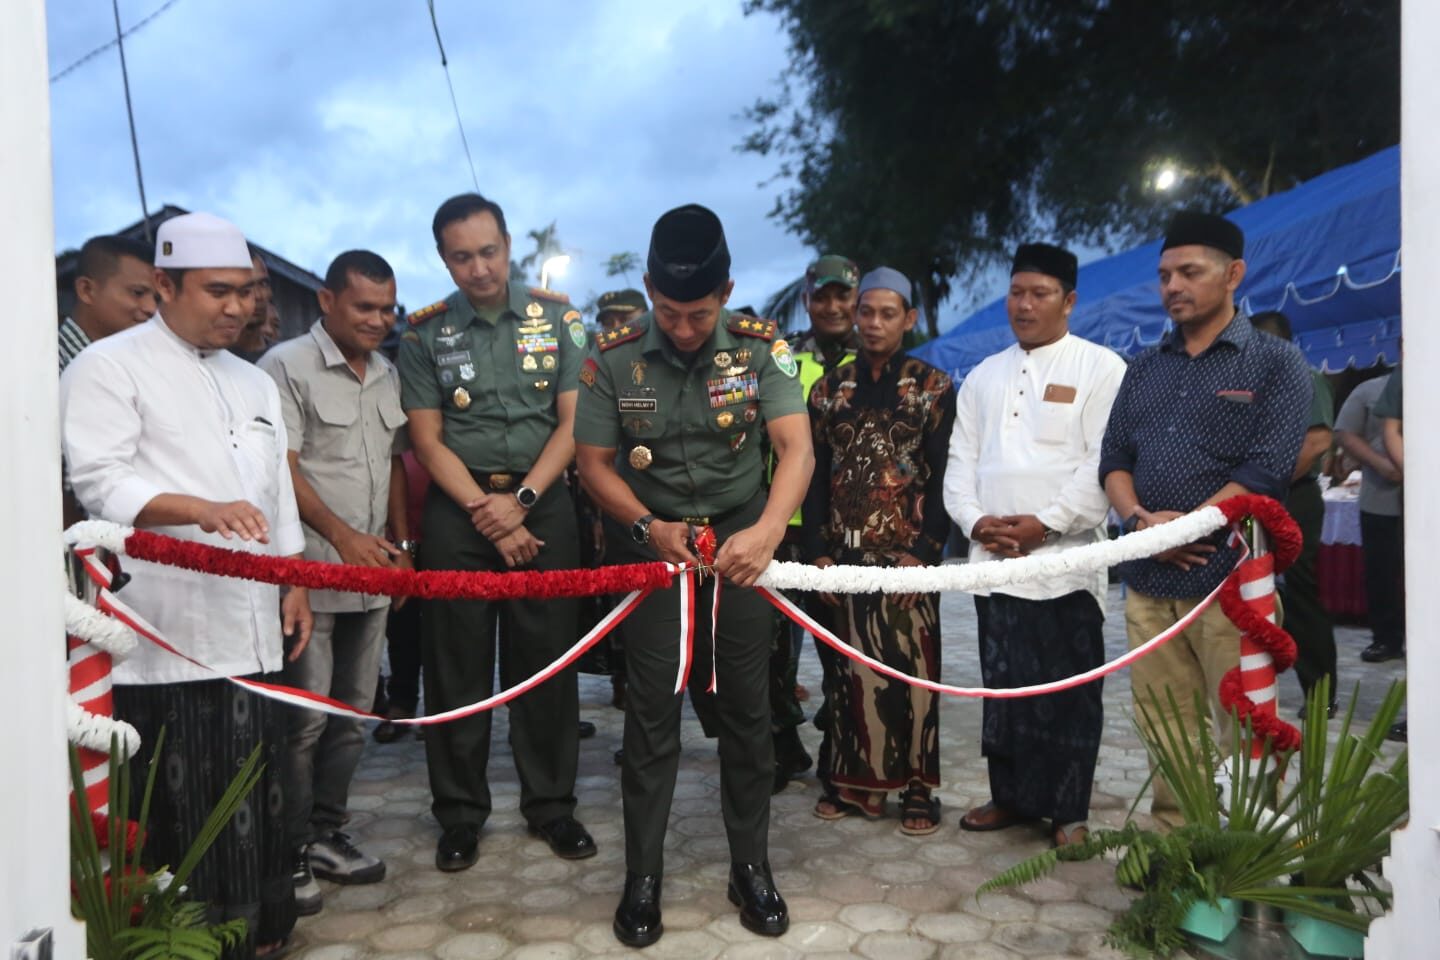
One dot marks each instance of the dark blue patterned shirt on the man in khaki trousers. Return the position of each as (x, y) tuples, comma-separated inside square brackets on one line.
[(1186, 427)]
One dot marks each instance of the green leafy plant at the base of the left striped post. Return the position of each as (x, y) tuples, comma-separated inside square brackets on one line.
[(132, 915)]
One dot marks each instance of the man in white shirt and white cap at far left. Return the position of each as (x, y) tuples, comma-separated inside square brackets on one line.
[(166, 430)]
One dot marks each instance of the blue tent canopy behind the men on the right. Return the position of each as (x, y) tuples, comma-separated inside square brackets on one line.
[(1326, 253)]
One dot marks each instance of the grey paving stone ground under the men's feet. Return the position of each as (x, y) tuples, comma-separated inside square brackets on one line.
[(855, 887)]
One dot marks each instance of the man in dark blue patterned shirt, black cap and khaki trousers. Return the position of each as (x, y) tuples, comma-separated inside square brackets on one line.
[(1215, 411)]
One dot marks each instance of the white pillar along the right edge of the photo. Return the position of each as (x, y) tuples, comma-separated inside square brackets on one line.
[(1413, 867)]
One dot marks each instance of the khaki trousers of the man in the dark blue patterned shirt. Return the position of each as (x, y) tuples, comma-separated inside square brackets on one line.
[(1194, 661)]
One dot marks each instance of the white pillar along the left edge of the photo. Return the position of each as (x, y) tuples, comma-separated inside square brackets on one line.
[(34, 824)]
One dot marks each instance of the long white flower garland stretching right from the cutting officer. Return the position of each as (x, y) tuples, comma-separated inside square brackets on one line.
[(989, 576)]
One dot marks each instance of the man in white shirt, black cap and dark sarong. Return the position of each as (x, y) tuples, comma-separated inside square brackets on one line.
[(1023, 480)]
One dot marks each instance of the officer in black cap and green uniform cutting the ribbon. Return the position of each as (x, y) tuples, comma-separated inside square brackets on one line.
[(667, 441)]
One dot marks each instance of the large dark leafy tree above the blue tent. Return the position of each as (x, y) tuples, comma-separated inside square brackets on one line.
[(937, 136)]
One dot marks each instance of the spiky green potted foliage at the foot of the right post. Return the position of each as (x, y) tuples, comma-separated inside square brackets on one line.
[(1292, 848)]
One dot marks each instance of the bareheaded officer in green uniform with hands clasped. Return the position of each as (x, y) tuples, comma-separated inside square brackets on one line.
[(489, 381)]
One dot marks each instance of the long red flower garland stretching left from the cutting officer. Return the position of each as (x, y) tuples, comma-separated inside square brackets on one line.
[(431, 585)]
